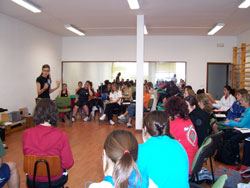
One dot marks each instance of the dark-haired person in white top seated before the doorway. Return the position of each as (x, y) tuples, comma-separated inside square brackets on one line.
[(226, 101)]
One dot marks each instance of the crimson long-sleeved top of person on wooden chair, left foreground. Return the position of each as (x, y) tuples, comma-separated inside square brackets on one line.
[(48, 141)]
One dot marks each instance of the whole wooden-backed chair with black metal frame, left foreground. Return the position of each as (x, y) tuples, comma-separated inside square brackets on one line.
[(42, 166)]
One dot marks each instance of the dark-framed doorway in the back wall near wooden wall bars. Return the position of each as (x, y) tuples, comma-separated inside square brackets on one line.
[(218, 75)]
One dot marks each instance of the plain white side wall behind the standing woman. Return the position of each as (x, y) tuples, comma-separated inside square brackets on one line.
[(23, 50)]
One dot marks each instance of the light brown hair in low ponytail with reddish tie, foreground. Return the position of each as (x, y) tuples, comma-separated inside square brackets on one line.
[(122, 148)]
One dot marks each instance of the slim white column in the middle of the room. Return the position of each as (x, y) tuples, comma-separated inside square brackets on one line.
[(139, 72)]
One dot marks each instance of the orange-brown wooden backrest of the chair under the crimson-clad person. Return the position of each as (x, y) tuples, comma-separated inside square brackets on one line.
[(53, 161)]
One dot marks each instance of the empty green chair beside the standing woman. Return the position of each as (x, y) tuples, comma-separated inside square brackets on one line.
[(64, 106)]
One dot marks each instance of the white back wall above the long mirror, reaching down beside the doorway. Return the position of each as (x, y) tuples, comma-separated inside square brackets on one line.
[(195, 50)]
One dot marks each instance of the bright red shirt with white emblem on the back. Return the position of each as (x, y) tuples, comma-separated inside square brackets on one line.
[(184, 132)]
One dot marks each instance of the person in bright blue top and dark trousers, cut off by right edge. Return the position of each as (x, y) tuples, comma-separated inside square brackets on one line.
[(244, 122)]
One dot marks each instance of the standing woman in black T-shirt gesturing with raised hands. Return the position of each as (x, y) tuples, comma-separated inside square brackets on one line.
[(43, 83)]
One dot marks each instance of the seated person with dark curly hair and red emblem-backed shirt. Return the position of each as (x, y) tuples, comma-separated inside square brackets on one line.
[(181, 127)]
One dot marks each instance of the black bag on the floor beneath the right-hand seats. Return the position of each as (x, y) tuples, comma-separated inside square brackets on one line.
[(225, 153)]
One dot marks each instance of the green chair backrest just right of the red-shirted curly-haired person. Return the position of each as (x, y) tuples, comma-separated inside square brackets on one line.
[(202, 155)]
